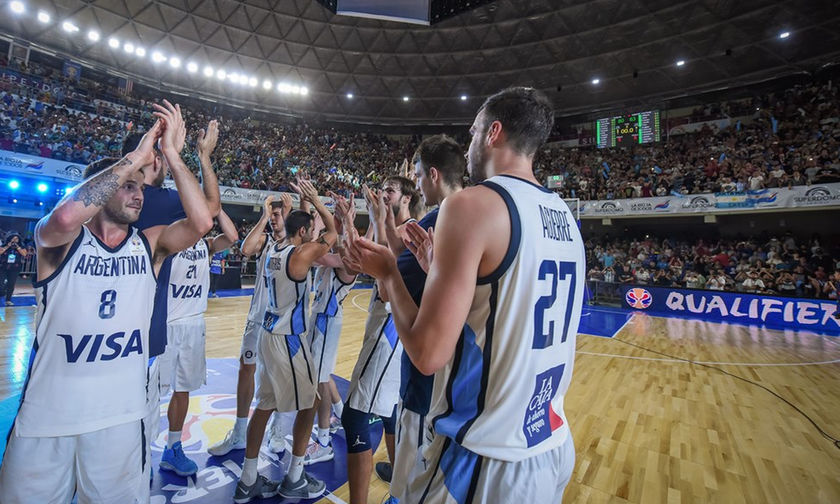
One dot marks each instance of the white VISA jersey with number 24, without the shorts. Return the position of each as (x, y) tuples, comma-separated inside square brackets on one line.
[(187, 279)]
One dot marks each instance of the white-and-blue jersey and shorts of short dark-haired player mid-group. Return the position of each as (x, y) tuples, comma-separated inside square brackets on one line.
[(285, 374)]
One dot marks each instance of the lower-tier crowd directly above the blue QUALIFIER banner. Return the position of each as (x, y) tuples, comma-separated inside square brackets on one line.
[(776, 265)]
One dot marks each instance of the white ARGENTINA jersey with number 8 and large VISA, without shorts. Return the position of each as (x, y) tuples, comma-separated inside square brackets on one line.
[(87, 369)]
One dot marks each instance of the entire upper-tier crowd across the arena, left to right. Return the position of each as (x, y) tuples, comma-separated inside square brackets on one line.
[(775, 140)]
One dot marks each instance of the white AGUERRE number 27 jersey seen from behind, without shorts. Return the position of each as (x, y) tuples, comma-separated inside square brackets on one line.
[(501, 395)]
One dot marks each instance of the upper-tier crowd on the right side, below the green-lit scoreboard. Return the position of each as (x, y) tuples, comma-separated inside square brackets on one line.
[(790, 138)]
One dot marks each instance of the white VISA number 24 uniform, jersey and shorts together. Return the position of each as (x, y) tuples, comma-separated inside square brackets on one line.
[(186, 278)]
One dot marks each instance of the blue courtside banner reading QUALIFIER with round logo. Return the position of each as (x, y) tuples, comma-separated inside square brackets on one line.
[(776, 312)]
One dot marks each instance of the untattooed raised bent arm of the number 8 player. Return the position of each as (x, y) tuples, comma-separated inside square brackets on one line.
[(183, 233)]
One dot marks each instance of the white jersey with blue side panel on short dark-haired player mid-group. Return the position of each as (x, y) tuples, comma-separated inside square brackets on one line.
[(288, 300)]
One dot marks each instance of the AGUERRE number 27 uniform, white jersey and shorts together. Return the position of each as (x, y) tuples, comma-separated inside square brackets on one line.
[(500, 432)]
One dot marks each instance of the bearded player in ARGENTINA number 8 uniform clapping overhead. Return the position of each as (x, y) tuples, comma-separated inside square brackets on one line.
[(79, 428)]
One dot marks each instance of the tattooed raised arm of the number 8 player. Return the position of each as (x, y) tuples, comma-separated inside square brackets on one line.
[(63, 224)]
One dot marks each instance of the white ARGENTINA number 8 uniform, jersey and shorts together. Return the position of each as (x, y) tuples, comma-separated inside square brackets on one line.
[(79, 424)]
